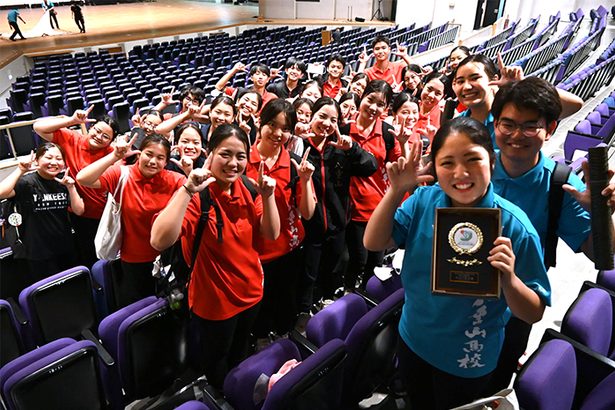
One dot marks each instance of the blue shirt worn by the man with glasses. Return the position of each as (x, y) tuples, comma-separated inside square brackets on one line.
[(530, 192)]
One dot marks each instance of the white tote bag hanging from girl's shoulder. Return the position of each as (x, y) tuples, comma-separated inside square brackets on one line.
[(108, 239)]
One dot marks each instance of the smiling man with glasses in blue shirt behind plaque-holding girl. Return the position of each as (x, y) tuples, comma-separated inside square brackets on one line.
[(526, 114)]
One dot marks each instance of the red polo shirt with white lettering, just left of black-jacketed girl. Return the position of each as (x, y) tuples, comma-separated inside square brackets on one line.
[(291, 228)]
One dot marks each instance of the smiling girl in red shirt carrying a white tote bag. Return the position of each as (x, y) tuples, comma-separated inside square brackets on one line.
[(147, 189)]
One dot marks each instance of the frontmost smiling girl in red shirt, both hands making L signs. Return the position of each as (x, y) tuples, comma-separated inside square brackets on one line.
[(226, 283)]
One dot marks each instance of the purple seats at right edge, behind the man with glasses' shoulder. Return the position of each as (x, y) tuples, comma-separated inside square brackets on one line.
[(597, 129)]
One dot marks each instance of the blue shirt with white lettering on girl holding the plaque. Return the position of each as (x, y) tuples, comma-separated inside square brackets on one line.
[(460, 335)]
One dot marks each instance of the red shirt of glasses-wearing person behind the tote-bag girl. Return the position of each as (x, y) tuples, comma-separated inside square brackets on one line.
[(78, 155)]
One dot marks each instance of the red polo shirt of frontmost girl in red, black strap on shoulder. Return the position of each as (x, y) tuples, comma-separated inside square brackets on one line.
[(227, 277)]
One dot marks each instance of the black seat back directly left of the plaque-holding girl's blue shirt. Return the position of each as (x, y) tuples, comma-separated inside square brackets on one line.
[(372, 345)]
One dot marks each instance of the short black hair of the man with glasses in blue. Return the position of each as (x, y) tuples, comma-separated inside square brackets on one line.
[(531, 93)]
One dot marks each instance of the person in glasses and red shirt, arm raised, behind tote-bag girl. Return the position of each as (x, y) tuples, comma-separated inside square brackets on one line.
[(80, 151)]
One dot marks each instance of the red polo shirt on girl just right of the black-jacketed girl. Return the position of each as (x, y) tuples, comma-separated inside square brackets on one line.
[(367, 192)]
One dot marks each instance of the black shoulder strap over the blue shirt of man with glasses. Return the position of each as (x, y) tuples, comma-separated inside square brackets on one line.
[(559, 177)]
